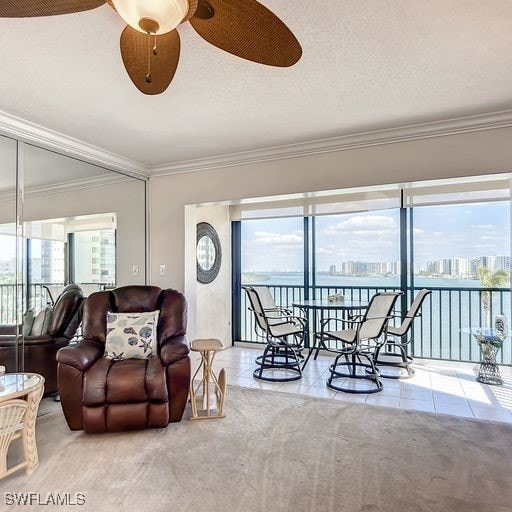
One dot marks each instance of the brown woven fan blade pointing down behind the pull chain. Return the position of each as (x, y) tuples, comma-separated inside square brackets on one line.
[(137, 49)]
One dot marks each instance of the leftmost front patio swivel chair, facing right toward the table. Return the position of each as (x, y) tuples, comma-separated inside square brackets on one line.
[(281, 353)]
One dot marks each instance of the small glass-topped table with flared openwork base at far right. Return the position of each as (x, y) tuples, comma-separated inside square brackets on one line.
[(490, 341)]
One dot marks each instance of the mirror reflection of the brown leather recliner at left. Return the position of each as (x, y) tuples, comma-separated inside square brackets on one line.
[(39, 352)]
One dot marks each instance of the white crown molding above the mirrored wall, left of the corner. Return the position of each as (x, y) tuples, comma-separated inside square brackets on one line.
[(26, 131)]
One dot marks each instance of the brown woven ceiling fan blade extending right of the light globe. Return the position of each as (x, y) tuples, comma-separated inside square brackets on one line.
[(248, 30)]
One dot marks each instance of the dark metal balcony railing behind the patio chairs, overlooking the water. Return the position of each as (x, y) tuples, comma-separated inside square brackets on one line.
[(437, 334)]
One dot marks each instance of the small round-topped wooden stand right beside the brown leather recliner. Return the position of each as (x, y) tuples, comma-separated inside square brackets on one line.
[(211, 408)]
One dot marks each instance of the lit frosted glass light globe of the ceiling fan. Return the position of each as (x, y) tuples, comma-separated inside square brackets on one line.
[(167, 14)]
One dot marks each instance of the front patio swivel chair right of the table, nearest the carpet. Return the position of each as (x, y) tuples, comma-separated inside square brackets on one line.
[(360, 342)]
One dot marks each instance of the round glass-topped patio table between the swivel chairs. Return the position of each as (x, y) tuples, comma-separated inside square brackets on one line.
[(321, 306)]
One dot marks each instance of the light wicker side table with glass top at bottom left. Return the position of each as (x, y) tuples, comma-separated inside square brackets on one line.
[(20, 396)]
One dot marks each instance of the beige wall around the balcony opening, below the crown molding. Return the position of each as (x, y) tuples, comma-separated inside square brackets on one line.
[(476, 153)]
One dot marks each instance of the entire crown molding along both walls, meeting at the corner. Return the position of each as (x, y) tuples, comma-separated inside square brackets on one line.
[(15, 127)]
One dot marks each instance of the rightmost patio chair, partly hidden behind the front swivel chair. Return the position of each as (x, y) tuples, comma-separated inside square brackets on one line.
[(393, 352)]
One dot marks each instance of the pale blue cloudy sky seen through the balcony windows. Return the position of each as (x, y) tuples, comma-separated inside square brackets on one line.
[(480, 229)]
